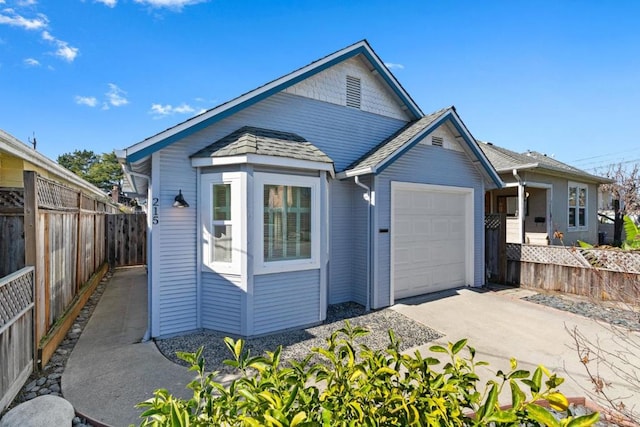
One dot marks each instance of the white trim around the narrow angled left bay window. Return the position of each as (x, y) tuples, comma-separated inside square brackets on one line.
[(236, 180)]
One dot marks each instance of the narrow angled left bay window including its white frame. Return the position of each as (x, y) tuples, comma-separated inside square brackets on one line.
[(221, 221)]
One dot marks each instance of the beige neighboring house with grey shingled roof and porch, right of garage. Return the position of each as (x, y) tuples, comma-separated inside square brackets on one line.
[(542, 196)]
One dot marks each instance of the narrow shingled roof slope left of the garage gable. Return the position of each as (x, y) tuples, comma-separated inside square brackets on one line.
[(390, 145)]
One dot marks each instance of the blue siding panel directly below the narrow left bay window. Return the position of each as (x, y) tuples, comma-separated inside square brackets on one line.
[(221, 305)]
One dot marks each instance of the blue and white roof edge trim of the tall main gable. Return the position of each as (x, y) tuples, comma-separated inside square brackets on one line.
[(145, 148)]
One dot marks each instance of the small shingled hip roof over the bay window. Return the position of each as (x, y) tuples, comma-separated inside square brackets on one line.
[(263, 146)]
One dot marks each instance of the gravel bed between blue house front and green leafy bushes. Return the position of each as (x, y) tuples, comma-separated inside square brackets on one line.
[(297, 343)]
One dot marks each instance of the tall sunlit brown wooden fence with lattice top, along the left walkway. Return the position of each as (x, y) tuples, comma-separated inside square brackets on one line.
[(64, 238)]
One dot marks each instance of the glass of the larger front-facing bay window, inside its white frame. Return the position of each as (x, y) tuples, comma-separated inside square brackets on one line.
[(287, 222)]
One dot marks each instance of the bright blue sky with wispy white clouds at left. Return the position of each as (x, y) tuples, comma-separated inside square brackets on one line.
[(559, 77)]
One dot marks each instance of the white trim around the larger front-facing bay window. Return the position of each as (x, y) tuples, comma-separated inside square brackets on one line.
[(262, 267)]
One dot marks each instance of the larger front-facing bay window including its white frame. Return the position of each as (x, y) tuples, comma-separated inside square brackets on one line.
[(287, 222)]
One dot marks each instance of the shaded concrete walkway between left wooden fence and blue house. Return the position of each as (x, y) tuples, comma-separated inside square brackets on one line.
[(110, 370)]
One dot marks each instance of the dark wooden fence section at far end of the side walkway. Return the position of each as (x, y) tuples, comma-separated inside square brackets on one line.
[(127, 239)]
